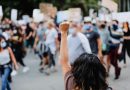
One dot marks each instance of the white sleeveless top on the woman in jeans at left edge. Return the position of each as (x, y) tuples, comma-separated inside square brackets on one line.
[(4, 57)]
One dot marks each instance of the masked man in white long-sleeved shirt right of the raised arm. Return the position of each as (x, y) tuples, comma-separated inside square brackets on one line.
[(77, 42)]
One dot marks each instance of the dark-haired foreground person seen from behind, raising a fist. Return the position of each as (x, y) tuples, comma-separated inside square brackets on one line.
[(86, 73)]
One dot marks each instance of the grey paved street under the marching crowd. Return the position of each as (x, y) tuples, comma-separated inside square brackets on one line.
[(33, 80)]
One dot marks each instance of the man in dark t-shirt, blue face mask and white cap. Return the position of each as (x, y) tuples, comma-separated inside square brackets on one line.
[(94, 38)]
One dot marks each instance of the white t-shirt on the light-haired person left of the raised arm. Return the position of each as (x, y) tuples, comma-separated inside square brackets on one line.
[(51, 36)]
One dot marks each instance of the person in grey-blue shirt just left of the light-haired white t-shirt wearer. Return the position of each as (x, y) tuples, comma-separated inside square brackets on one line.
[(39, 45)]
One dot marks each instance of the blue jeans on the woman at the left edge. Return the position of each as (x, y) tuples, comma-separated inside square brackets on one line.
[(5, 82)]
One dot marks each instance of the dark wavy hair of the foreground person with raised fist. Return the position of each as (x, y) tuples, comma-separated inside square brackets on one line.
[(89, 73)]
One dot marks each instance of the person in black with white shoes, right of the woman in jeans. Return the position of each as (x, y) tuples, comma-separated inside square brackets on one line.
[(17, 45)]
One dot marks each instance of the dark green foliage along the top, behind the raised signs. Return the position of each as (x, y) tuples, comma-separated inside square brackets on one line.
[(26, 6)]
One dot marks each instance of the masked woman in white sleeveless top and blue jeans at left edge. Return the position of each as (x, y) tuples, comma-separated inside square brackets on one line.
[(6, 55)]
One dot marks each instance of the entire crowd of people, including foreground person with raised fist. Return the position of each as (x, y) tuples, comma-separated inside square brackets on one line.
[(88, 49)]
